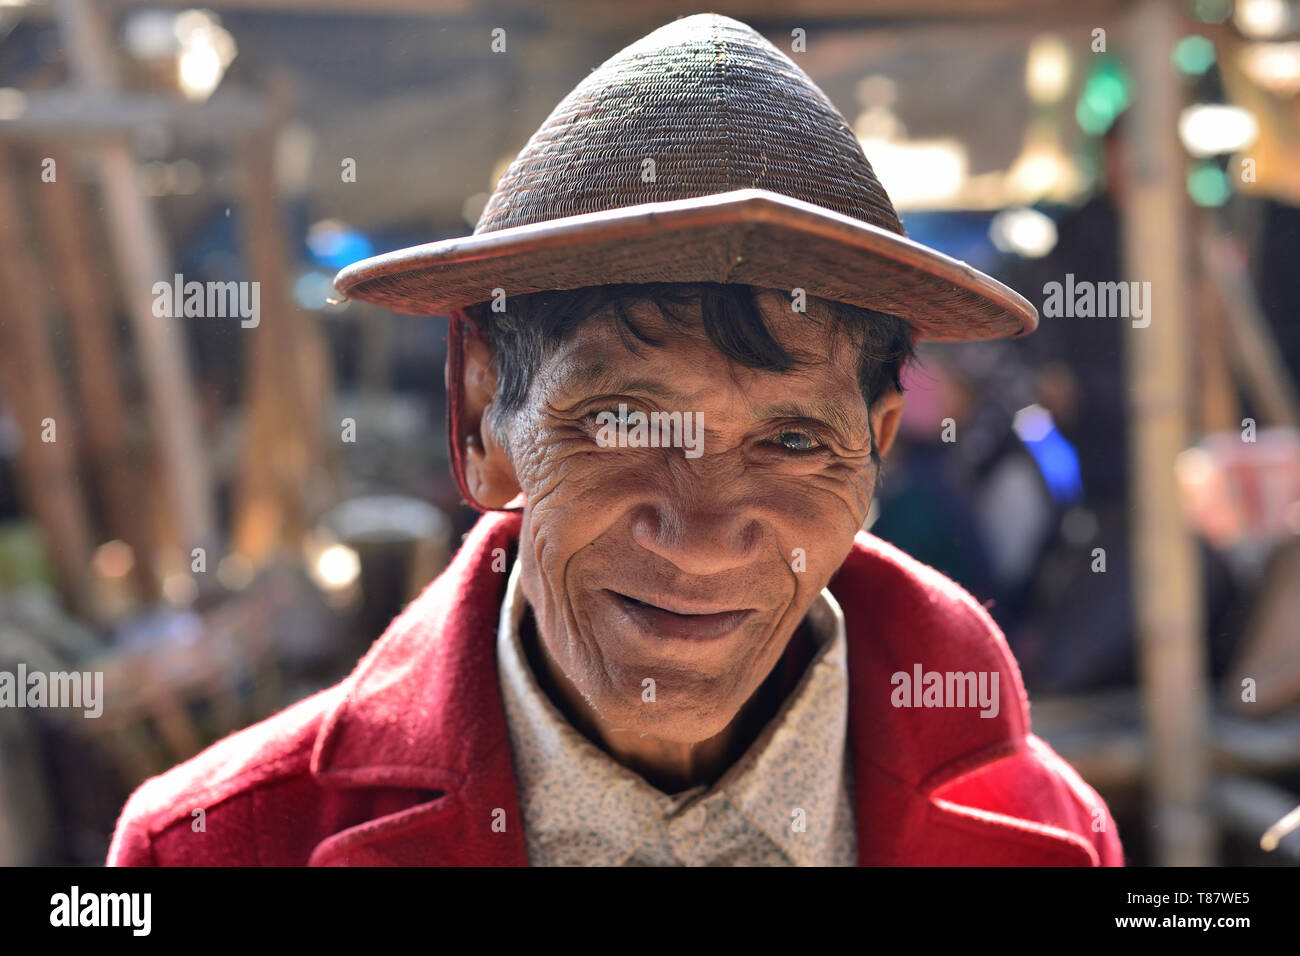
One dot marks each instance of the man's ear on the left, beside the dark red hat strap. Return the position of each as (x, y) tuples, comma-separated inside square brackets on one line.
[(489, 473)]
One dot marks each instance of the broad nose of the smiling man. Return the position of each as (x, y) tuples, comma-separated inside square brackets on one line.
[(699, 538)]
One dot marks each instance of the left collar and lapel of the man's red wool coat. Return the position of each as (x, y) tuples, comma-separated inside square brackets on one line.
[(424, 712)]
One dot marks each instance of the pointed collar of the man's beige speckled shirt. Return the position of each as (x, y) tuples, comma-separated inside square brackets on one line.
[(605, 819)]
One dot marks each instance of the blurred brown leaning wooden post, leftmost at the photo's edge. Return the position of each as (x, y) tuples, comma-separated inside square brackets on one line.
[(34, 393)]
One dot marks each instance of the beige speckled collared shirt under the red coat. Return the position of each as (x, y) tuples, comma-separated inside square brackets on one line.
[(787, 802)]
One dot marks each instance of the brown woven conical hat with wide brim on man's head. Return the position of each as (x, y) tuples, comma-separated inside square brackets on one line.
[(699, 154)]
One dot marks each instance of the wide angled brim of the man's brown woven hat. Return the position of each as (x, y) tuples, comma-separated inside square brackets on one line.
[(752, 236)]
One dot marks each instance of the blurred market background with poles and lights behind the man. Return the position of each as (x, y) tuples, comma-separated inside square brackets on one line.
[(222, 516)]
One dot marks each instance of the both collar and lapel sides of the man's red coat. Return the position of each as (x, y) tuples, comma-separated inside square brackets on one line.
[(423, 711)]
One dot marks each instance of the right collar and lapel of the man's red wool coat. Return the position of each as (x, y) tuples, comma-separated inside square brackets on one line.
[(900, 613)]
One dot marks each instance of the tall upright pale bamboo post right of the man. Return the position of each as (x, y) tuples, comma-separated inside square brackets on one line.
[(1167, 582)]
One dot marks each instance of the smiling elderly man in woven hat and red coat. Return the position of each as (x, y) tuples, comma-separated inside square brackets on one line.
[(674, 370)]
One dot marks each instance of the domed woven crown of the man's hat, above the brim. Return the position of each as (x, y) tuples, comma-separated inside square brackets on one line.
[(699, 107)]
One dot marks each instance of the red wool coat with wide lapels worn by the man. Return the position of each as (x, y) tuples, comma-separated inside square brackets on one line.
[(406, 762)]
